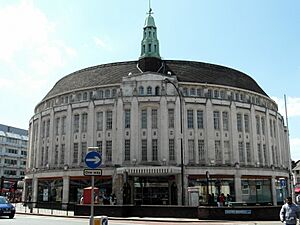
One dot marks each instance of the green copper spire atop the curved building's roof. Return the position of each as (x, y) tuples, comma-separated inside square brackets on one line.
[(150, 44)]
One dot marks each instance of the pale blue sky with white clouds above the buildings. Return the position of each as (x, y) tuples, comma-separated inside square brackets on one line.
[(42, 41)]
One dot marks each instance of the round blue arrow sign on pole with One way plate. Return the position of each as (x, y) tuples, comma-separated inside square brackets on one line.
[(92, 160)]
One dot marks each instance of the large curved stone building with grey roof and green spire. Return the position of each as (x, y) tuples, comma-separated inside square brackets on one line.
[(147, 117)]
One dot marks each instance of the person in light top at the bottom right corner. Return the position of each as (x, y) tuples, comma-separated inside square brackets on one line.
[(289, 212)]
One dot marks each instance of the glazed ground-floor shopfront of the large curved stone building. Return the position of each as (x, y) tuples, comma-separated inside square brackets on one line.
[(160, 186)]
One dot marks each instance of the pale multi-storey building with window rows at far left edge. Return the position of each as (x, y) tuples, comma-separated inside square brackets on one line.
[(13, 152)]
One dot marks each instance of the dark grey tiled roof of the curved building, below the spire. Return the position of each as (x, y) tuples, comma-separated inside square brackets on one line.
[(186, 71)]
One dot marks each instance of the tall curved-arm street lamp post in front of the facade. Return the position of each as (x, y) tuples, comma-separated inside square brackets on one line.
[(167, 80)]
